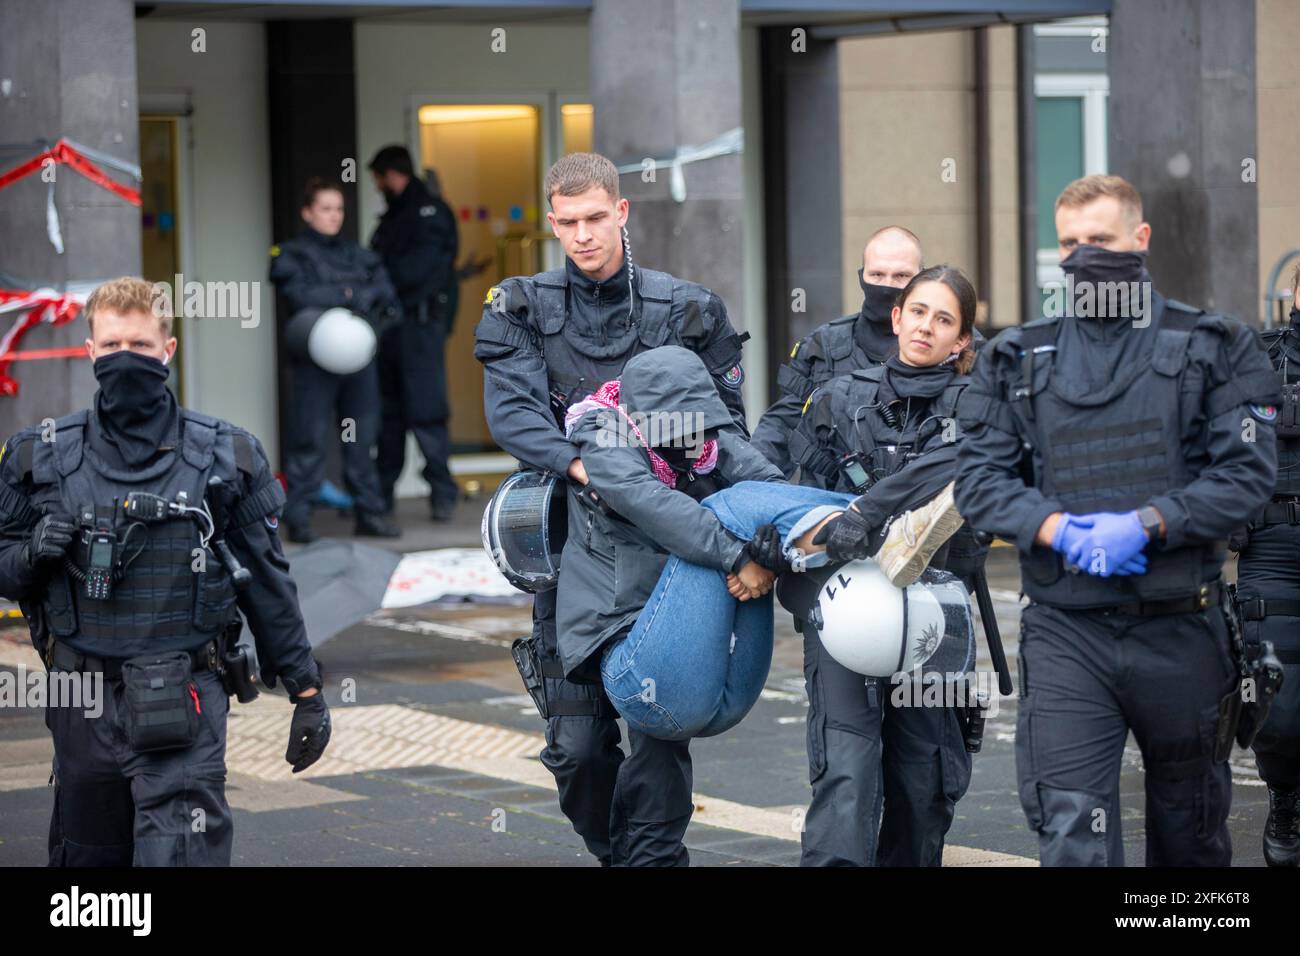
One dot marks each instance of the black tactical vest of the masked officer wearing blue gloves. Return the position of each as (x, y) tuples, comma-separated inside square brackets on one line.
[(1112, 456)]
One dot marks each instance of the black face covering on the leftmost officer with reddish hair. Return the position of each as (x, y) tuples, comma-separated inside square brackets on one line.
[(135, 409)]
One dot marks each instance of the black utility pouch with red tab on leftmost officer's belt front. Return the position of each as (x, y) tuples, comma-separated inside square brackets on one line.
[(162, 702)]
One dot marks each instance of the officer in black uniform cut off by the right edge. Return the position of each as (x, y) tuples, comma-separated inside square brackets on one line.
[(1268, 578)]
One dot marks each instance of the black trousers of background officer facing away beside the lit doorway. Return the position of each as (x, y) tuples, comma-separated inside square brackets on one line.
[(413, 388)]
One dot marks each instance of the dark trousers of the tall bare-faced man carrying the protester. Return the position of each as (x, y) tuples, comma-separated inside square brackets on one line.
[(630, 811)]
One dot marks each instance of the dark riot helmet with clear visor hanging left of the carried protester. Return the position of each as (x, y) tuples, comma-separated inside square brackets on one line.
[(525, 529)]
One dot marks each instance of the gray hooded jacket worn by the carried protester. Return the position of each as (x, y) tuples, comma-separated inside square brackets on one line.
[(612, 563)]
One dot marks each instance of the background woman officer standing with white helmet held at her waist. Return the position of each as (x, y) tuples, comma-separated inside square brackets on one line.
[(323, 270)]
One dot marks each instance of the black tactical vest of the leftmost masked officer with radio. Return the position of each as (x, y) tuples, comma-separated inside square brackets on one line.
[(174, 595)]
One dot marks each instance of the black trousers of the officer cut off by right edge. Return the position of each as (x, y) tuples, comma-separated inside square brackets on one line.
[(1271, 569)]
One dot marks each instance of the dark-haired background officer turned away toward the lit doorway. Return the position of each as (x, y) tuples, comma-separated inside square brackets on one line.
[(418, 240)]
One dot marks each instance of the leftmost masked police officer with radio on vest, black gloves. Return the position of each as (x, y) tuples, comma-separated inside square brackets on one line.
[(129, 534)]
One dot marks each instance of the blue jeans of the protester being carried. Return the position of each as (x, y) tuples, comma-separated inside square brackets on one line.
[(697, 659)]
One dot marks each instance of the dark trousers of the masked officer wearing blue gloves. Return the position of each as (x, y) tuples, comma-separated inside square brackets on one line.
[(1086, 681)]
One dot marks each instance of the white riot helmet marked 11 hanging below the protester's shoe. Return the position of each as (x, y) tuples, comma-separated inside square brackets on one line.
[(878, 630)]
